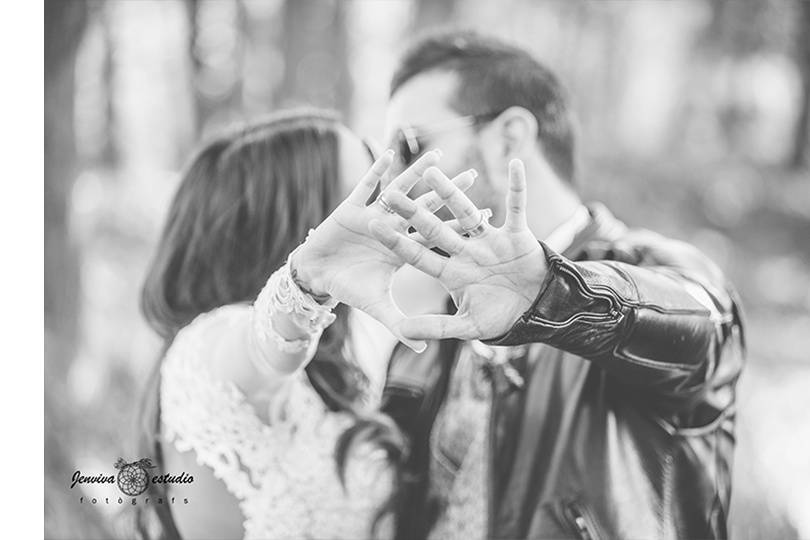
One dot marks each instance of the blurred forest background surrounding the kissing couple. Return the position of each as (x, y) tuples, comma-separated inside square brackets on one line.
[(694, 119)]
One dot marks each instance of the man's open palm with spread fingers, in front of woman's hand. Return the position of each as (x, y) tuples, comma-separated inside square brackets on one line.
[(493, 276)]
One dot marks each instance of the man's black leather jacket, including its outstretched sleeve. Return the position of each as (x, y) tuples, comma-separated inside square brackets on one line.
[(617, 421)]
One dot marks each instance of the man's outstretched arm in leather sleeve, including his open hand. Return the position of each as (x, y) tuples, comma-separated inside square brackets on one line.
[(662, 316)]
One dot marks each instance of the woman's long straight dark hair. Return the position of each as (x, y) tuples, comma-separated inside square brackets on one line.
[(245, 201)]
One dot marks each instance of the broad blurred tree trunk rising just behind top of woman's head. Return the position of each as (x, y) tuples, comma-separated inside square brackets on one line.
[(316, 70)]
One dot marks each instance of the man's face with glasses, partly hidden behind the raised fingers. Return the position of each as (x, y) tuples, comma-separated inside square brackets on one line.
[(422, 105)]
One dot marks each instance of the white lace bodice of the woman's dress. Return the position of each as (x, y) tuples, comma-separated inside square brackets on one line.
[(282, 473)]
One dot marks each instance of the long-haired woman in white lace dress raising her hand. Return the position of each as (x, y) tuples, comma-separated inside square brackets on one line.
[(253, 398)]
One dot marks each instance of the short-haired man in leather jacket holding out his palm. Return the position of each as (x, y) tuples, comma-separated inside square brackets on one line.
[(611, 411)]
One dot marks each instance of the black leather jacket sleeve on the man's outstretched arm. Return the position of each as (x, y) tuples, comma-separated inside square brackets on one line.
[(651, 311)]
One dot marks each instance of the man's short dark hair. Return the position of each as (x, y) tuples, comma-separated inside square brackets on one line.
[(494, 76)]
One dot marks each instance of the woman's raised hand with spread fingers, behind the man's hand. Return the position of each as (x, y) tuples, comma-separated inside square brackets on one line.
[(342, 259)]
